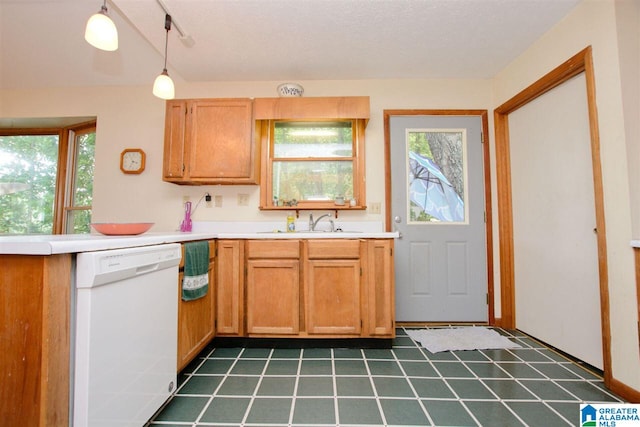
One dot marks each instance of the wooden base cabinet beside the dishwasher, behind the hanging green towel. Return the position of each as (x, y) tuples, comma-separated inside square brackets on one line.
[(196, 318)]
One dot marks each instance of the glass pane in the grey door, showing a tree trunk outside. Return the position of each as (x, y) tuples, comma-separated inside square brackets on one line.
[(436, 173)]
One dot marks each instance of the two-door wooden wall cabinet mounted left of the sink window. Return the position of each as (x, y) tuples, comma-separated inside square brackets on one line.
[(210, 141)]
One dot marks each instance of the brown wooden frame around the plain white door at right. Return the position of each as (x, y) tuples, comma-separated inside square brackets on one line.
[(579, 63)]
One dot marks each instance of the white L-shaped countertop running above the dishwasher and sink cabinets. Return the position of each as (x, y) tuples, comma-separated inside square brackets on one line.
[(74, 243)]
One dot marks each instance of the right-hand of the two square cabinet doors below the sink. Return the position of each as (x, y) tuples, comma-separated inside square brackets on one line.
[(332, 290)]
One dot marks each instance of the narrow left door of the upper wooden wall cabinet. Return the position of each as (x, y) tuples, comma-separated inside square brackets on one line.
[(174, 139)]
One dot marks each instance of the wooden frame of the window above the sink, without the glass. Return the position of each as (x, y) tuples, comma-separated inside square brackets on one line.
[(265, 131)]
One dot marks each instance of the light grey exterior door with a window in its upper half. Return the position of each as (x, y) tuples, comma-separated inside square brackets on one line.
[(438, 207)]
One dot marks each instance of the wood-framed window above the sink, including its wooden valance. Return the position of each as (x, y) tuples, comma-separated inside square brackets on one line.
[(313, 163)]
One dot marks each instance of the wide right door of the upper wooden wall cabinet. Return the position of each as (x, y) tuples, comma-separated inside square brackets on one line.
[(221, 143)]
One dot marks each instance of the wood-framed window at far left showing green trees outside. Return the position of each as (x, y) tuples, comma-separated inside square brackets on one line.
[(29, 168)]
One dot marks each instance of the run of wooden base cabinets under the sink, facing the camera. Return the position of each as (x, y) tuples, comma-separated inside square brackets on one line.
[(322, 288)]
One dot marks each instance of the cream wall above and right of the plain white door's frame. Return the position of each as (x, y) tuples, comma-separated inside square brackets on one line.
[(593, 22)]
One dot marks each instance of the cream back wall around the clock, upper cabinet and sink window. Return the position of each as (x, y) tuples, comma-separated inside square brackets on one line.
[(132, 117)]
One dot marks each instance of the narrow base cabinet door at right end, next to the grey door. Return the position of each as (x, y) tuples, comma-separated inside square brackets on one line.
[(380, 289)]
